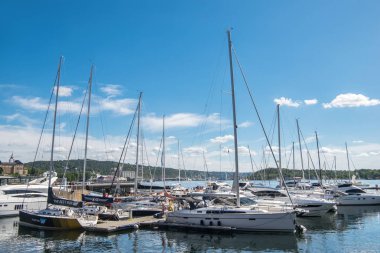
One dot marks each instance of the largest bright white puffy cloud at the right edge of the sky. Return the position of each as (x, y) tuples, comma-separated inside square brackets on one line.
[(351, 100)]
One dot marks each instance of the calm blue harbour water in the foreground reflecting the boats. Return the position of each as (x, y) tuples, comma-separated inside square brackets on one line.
[(351, 229)]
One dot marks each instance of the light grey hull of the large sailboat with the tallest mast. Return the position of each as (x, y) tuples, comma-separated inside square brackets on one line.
[(236, 220)]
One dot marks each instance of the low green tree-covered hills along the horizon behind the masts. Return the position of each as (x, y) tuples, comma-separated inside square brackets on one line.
[(107, 168)]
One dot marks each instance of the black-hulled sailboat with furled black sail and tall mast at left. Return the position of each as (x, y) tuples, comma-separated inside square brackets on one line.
[(53, 218)]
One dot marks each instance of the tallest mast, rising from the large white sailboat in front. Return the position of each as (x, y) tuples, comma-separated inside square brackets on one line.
[(236, 178)]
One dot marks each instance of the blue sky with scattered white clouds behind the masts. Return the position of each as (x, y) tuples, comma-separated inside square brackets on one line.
[(175, 52)]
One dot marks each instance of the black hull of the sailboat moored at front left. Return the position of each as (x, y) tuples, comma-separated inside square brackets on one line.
[(48, 222)]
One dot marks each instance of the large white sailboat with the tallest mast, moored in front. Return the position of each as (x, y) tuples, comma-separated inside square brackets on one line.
[(233, 217)]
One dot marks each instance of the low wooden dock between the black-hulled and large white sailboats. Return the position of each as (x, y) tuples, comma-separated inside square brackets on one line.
[(122, 225)]
